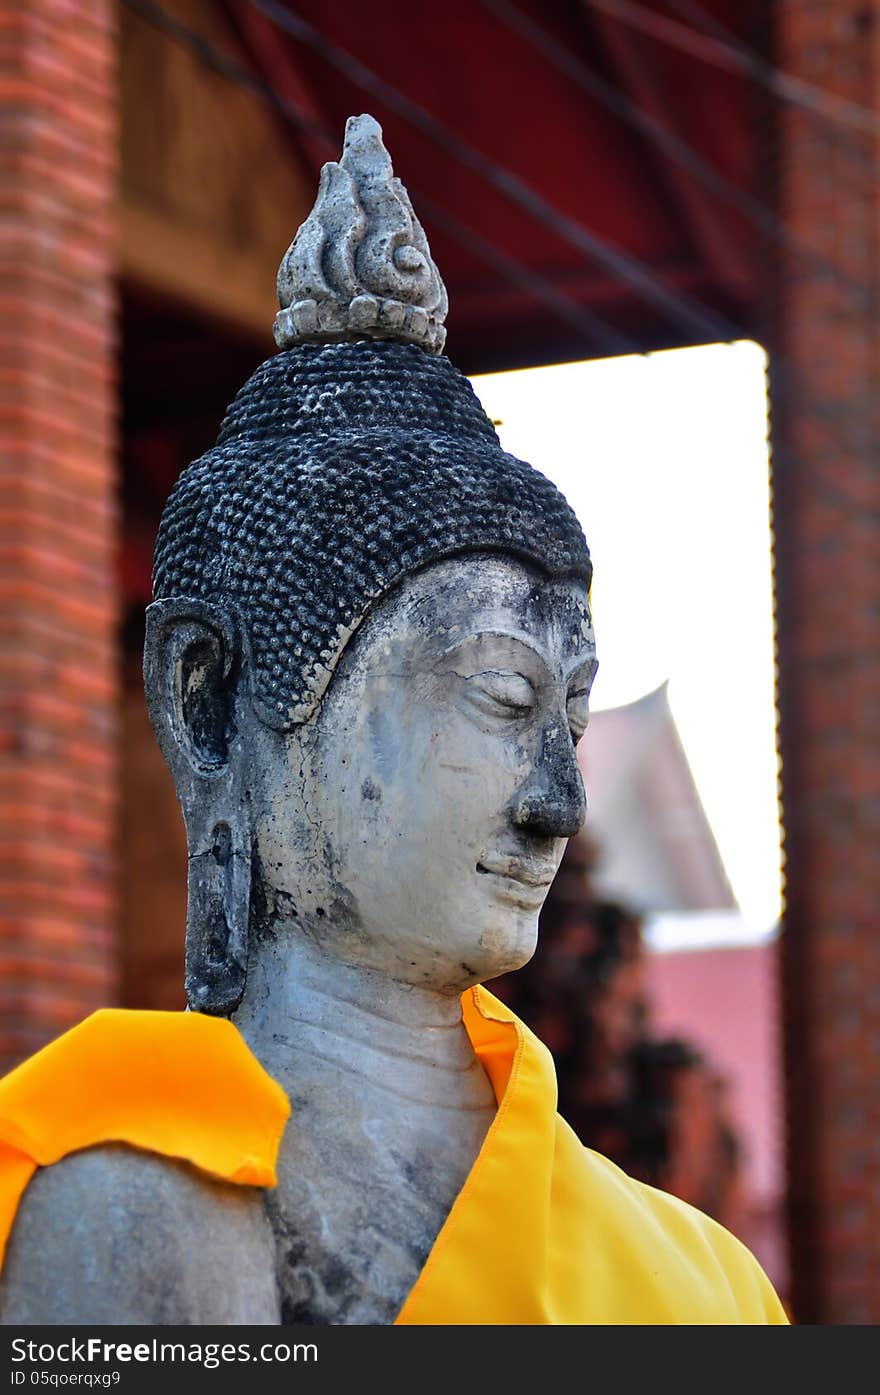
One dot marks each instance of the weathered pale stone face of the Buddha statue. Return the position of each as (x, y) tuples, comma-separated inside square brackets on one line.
[(444, 746)]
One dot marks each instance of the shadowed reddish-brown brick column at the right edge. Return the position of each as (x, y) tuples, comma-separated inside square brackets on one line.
[(826, 390)]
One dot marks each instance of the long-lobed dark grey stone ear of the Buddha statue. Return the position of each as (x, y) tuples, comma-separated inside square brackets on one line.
[(193, 658)]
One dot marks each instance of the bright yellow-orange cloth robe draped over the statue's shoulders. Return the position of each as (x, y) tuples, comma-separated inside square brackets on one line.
[(543, 1231)]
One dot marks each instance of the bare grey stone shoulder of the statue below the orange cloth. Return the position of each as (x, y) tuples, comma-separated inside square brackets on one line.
[(118, 1235)]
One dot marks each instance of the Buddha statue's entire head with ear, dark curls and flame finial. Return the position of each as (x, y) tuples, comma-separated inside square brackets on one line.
[(370, 651)]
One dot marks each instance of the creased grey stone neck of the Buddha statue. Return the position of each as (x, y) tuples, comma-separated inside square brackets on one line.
[(306, 1013)]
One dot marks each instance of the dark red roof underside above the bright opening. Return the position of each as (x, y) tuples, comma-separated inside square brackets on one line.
[(586, 171)]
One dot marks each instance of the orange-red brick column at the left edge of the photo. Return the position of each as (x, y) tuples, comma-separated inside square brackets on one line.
[(58, 518)]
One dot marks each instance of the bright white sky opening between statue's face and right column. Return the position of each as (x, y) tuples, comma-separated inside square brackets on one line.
[(665, 460)]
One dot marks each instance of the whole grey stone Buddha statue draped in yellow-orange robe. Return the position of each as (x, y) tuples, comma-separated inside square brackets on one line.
[(369, 665)]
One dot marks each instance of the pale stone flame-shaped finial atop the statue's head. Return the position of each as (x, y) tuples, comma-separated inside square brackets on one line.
[(361, 266)]
